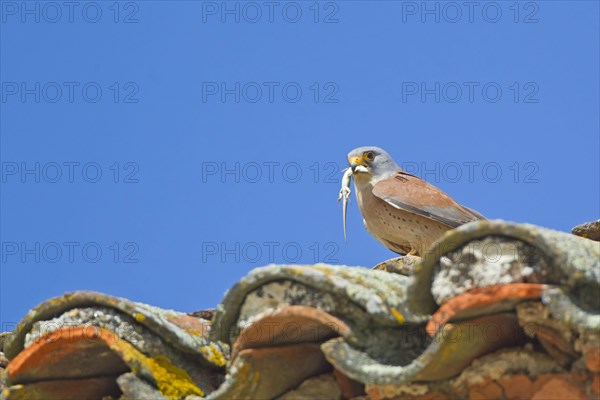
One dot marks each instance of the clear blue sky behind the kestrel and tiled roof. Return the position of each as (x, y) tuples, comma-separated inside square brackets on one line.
[(226, 138)]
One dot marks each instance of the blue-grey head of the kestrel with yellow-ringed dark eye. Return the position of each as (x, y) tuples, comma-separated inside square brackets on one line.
[(371, 161)]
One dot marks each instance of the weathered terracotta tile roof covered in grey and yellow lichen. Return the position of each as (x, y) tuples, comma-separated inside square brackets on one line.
[(457, 323)]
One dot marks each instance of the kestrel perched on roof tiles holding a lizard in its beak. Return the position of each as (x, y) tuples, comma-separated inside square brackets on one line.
[(402, 211)]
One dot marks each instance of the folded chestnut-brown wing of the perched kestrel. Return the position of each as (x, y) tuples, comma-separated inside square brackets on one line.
[(411, 193)]
